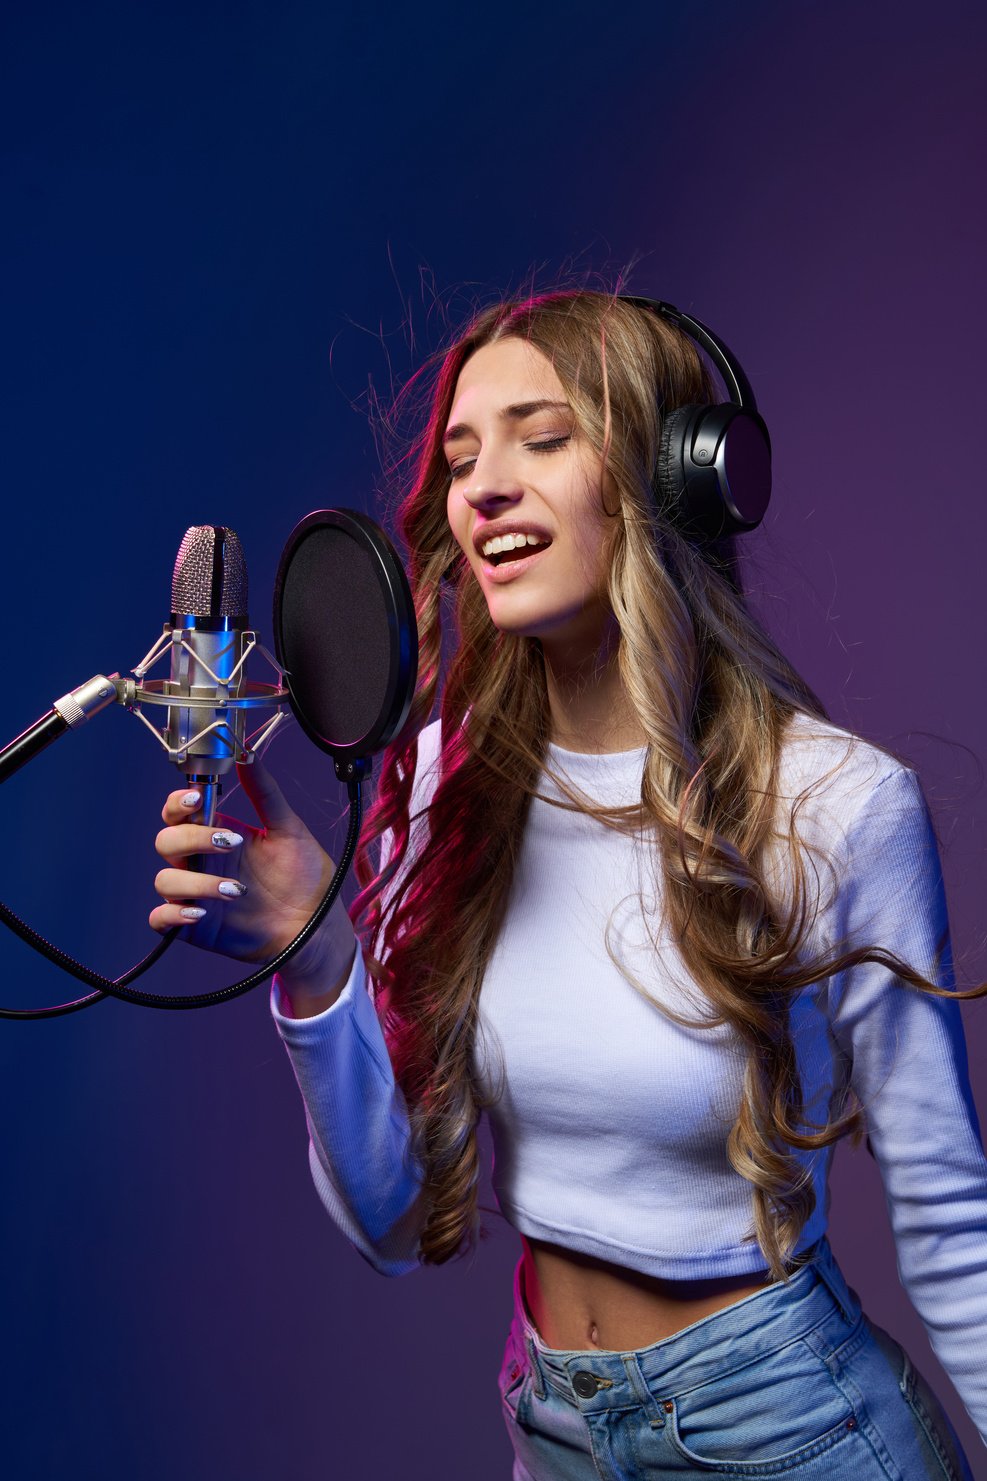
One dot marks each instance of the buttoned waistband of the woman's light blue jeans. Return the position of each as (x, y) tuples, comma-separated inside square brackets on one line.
[(817, 1297)]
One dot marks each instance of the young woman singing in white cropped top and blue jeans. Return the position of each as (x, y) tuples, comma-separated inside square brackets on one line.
[(672, 931)]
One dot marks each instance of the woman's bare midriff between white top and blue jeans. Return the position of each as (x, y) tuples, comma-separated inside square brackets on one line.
[(579, 1303)]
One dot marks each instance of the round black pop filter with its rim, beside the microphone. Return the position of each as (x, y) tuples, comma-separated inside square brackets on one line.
[(346, 635)]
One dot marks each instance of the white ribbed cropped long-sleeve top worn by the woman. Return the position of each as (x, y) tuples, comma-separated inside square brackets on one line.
[(610, 1132)]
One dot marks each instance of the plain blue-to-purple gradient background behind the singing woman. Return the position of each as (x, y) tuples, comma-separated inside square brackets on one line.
[(211, 215)]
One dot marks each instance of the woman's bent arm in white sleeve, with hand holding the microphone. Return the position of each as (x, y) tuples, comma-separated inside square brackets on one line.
[(263, 888)]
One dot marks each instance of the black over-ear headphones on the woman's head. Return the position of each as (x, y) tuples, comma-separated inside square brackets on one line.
[(714, 475)]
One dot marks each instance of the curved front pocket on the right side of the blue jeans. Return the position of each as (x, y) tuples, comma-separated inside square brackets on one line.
[(780, 1412)]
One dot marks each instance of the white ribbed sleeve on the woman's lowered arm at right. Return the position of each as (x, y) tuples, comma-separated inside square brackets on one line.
[(908, 1064)]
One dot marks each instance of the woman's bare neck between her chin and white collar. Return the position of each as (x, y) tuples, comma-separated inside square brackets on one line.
[(588, 704)]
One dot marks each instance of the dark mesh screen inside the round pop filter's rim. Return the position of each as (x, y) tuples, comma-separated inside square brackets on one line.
[(336, 636)]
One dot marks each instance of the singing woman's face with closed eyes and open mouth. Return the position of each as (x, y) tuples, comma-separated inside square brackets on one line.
[(521, 467)]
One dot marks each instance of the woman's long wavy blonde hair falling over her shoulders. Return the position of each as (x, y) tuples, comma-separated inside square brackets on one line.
[(714, 697)]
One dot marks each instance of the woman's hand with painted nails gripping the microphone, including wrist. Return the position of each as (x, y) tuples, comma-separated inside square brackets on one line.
[(269, 882)]
